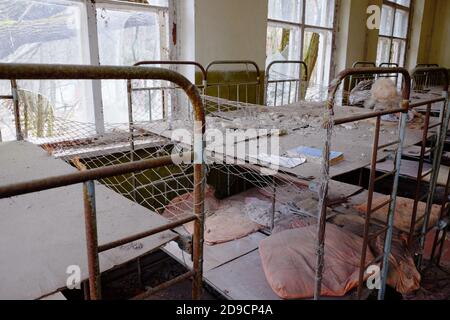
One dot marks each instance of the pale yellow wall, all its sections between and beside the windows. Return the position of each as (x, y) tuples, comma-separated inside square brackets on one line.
[(236, 29)]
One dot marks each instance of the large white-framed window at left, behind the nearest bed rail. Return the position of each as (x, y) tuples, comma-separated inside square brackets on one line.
[(57, 32)]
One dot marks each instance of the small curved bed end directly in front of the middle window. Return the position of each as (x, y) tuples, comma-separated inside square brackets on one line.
[(298, 81)]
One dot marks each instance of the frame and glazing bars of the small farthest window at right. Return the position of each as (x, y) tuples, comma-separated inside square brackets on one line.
[(392, 38)]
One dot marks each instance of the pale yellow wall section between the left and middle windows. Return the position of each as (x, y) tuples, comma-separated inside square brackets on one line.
[(231, 30)]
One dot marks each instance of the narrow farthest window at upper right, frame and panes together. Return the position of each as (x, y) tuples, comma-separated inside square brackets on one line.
[(394, 29)]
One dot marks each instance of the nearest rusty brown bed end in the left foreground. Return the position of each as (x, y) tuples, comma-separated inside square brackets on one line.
[(49, 72)]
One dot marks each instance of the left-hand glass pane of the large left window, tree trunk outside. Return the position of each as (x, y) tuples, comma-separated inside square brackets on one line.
[(46, 32)]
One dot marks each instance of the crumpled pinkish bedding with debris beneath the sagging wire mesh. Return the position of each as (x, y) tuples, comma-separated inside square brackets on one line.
[(245, 213)]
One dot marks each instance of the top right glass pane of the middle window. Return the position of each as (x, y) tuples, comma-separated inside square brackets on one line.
[(319, 13)]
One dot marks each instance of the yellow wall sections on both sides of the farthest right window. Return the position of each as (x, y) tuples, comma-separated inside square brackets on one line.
[(429, 34)]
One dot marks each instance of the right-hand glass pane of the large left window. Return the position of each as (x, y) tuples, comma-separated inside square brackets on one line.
[(126, 37)]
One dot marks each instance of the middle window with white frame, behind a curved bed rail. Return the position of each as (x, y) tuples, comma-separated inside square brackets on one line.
[(301, 30)]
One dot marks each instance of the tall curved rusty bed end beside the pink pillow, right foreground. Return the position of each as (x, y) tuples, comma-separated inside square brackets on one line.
[(388, 228)]
